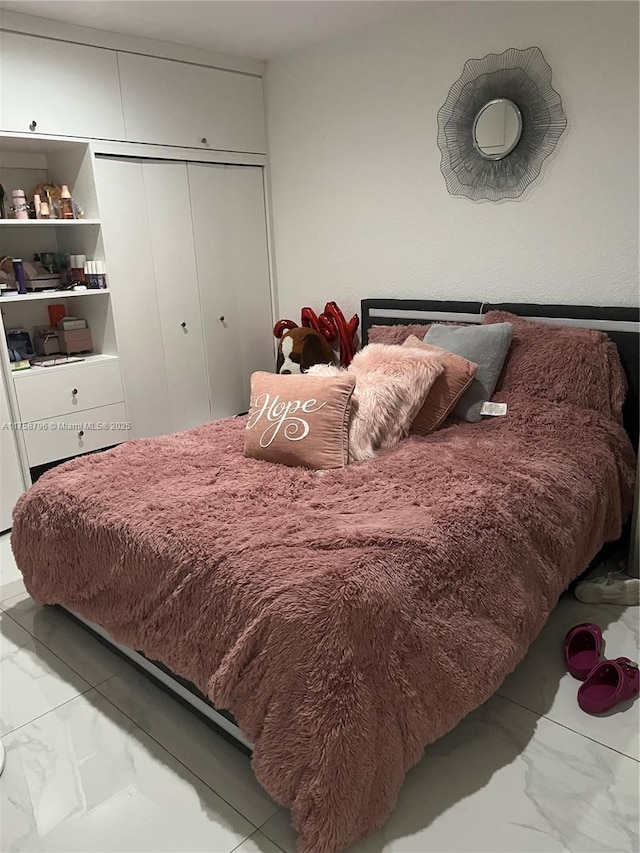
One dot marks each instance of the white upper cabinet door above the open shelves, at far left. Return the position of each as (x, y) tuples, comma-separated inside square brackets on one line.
[(66, 89)]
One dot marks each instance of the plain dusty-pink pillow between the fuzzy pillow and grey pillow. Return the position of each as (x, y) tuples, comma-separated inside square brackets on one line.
[(457, 374)]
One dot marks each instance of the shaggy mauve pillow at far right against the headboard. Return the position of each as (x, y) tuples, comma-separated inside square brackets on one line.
[(563, 364)]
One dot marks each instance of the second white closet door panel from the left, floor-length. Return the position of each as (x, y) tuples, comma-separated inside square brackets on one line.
[(169, 215)]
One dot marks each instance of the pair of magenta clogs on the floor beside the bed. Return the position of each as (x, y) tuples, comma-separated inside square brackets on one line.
[(605, 683)]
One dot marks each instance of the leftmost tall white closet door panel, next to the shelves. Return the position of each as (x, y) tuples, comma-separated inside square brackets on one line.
[(129, 256)]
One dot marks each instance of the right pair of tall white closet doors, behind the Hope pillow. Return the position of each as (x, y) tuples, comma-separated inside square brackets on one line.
[(233, 274)]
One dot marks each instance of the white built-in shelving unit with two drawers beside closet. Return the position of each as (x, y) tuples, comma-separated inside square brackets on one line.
[(77, 392)]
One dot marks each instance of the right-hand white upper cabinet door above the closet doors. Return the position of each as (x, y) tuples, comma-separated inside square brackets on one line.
[(173, 103)]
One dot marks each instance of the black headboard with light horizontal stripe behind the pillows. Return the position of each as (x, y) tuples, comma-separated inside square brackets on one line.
[(621, 324)]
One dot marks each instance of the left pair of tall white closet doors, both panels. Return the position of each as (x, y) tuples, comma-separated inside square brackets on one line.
[(148, 234)]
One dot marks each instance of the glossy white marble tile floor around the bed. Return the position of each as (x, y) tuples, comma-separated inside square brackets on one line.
[(99, 759)]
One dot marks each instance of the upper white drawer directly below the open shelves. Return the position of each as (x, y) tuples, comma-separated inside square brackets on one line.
[(46, 395)]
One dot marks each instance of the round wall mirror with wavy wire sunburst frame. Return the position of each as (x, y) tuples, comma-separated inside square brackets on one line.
[(500, 122)]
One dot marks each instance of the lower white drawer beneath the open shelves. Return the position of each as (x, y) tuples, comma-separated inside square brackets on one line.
[(59, 438)]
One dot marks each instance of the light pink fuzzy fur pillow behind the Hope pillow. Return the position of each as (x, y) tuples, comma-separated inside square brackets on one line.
[(392, 384)]
